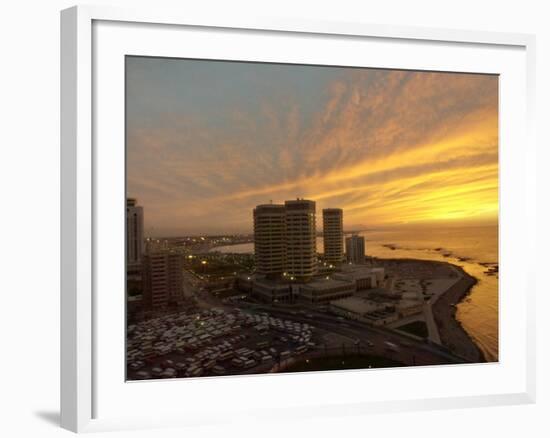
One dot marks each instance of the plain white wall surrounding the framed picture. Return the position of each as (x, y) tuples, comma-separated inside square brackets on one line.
[(29, 219)]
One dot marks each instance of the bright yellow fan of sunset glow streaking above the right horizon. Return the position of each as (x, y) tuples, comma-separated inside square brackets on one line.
[(463, 192)]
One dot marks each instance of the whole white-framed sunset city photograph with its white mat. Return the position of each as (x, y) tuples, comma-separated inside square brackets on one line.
[(280, 217)]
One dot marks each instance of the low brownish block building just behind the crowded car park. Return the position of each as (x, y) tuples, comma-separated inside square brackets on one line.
[(162, 278)]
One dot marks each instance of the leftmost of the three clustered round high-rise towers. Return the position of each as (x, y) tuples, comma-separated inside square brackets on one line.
[(270, 239)]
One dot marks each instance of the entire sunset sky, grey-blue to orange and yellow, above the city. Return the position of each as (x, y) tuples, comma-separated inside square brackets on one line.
[(207, 141)]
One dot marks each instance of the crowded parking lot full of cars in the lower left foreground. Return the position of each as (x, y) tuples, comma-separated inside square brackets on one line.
[(213, 342)]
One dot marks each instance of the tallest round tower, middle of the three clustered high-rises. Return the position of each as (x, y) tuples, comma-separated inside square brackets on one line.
[(301, 254)]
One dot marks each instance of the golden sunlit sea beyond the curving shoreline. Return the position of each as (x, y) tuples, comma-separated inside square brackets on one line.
[(471, 247)]
